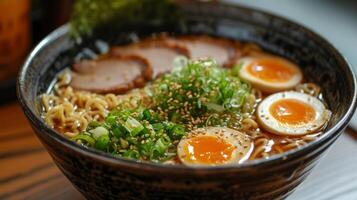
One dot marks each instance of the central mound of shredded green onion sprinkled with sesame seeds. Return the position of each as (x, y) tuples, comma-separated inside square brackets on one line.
[(191, 95)]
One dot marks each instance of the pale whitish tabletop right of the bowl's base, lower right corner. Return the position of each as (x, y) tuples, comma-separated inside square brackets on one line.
[(335, 176)]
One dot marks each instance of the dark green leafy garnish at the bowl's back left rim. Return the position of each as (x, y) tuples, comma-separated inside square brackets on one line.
[(91, 15)]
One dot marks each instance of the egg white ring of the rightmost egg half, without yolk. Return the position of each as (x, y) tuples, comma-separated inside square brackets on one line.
[(269, 123)]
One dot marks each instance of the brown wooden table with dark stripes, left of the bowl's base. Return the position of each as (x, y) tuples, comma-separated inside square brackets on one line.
[(26, 169)]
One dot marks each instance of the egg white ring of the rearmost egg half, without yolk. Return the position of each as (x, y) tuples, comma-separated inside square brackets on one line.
[(267, 86)]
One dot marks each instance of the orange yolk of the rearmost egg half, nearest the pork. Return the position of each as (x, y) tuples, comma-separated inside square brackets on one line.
[(271, 70)]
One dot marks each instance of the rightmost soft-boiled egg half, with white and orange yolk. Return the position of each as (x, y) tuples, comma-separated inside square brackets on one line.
[(292, 113)]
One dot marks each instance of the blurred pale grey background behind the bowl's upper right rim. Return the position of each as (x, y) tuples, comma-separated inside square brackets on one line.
[(335, 20)]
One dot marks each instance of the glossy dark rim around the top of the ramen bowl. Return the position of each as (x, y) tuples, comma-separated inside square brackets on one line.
[(149, 166)]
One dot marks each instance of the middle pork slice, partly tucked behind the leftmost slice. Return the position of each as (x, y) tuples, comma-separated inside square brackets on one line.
[(159, 54)]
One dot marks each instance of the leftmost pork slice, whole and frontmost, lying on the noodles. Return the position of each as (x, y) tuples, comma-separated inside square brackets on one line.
[(111, 74)]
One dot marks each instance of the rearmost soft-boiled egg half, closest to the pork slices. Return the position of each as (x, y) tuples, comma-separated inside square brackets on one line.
[(270, 73)]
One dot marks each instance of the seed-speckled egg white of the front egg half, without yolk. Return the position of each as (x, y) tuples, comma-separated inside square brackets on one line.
[(242, 143)]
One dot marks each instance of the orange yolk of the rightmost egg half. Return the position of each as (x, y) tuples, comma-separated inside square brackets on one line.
[(292, 112)]
